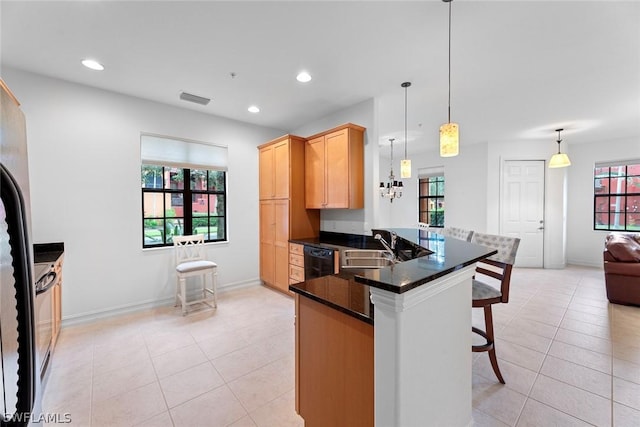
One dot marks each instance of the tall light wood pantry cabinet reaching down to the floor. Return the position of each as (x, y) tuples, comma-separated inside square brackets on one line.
[(283, 215)]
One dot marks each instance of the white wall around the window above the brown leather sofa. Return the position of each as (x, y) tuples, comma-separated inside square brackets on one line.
[(585, 245)]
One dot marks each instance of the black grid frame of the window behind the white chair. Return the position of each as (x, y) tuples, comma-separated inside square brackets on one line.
[(187, 199)]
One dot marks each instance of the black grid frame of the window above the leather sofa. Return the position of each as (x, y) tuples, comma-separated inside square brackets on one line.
[(605, 198)]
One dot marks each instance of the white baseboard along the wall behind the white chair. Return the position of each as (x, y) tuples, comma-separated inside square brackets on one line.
[(92, 316)]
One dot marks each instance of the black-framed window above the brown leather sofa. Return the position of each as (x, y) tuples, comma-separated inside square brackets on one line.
[(616, 189)]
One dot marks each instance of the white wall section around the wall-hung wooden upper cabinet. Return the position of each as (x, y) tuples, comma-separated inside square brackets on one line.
[(356, 221)]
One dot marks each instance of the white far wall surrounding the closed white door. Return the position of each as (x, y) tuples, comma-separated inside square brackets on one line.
[(472, 191)]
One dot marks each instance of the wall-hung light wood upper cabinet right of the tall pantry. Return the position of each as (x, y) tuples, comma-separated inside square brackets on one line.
[(334, 169)]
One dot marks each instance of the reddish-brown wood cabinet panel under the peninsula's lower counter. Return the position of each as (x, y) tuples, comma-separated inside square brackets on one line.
[(334, 367)]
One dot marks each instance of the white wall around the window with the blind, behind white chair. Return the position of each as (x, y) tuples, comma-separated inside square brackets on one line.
[(84, 164)]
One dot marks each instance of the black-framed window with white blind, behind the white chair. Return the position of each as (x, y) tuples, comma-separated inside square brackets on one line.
[(181, 193)]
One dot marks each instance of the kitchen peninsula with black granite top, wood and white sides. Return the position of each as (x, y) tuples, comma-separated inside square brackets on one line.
[(391, 344)]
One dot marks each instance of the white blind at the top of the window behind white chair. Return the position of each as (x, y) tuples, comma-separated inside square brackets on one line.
[(182, 153)]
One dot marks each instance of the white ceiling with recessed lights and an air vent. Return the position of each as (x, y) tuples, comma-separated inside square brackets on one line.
[(520, 69)]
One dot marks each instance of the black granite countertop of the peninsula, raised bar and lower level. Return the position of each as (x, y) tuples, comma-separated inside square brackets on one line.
[(447, 255)]
